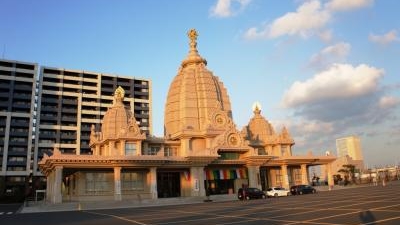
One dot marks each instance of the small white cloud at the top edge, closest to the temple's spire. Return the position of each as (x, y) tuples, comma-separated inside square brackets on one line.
[(228, 8)]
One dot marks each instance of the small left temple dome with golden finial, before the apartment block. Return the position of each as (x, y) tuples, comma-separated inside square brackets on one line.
[(117, 117)]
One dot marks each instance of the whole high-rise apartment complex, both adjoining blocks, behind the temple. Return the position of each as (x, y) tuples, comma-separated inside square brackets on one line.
[(47, 108)]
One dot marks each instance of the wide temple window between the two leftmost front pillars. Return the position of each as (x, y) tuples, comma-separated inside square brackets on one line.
[(97, 183)]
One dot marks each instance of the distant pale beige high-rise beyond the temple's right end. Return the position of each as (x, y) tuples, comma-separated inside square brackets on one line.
[(350, 146)]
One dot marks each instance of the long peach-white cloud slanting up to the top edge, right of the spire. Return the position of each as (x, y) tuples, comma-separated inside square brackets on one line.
[(308, 19)]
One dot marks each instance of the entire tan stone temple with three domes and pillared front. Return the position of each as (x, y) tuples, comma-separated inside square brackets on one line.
[(202, 151)]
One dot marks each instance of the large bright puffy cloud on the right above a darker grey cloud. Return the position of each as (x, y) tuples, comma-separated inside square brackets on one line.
[(340, 81)]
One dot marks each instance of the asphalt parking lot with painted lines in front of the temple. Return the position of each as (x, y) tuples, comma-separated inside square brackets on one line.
[(361, 205)]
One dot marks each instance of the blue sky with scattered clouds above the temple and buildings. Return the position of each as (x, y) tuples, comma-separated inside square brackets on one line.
[(325, 69)]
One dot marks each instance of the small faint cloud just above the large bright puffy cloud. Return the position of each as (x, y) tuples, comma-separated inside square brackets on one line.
[(327, 56)]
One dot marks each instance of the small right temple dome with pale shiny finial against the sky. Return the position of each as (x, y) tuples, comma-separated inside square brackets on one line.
[(259, 129)]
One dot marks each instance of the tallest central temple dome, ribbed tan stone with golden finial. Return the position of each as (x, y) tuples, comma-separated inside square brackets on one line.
[(193, 96)]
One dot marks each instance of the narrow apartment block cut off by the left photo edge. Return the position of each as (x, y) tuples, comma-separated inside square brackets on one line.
[(17, 119)]
